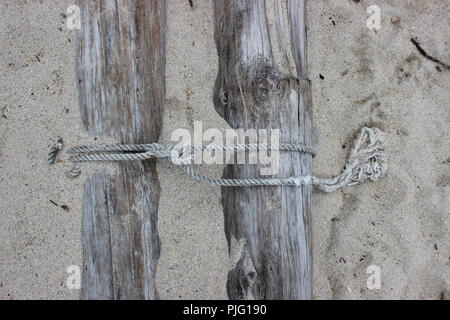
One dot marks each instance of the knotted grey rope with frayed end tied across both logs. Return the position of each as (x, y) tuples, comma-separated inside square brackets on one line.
[(366, 160)]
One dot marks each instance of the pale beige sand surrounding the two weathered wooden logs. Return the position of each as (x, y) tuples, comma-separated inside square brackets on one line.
[(399, 224)]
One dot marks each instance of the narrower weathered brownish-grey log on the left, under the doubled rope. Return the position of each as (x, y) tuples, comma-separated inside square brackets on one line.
[(121, 70)]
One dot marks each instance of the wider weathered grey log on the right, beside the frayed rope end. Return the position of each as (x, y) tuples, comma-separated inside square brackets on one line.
[(262, 84)]
